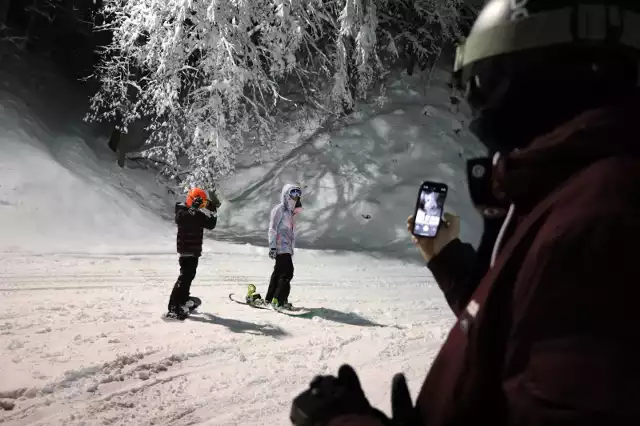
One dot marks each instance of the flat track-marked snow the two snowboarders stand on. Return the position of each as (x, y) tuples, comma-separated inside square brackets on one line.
[(83, 342)]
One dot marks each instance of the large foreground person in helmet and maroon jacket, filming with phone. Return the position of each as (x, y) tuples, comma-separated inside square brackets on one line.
[(546, 304)]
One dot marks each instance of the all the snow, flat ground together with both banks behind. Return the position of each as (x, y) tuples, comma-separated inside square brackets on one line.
[(87, 261)]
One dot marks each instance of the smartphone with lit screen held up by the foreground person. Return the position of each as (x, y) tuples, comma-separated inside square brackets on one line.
[(429, 209)]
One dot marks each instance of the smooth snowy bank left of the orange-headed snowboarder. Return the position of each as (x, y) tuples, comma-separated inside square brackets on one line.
[(59, 185)]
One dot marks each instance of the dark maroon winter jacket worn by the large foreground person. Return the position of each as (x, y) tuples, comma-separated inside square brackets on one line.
[(548, 334)]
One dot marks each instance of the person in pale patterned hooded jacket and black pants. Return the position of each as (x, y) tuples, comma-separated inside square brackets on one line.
[(282, 244)]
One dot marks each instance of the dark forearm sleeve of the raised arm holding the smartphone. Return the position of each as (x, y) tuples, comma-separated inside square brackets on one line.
[(452, 268)]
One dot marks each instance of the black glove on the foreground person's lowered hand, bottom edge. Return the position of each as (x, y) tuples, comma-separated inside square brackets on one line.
[(329, 397)]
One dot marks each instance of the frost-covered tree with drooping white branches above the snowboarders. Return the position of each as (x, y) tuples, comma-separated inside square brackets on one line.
[(208, 76)]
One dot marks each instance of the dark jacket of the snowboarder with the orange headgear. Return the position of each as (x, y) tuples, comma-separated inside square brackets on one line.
[(191, 224)]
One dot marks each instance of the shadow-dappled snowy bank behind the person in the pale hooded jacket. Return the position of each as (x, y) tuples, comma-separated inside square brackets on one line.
[(361, 176)]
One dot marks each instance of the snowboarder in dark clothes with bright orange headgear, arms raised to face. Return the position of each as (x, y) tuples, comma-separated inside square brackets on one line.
[(192, 217)]
